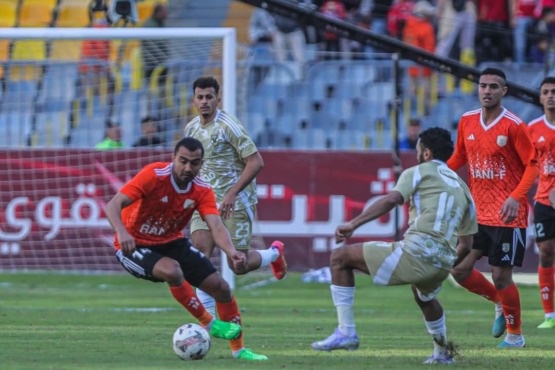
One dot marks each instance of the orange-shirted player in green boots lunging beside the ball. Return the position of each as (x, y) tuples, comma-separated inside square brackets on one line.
[(148, 215)]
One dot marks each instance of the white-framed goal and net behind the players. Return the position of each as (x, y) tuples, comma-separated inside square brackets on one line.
[(61, 90)]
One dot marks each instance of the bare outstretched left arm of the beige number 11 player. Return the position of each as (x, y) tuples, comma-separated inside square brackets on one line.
[(381, 207)]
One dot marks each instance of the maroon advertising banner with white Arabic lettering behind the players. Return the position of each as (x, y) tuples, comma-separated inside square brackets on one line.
[(52, 202)]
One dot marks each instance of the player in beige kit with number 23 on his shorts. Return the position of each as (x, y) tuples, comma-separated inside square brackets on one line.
[(232, 163)]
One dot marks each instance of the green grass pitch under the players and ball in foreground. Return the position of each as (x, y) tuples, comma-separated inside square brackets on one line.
[(50, 321)]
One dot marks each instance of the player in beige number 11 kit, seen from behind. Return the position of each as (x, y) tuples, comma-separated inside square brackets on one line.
[(440, 209)]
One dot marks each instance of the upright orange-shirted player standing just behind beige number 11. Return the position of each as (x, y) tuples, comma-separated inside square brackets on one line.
[(502, 166)]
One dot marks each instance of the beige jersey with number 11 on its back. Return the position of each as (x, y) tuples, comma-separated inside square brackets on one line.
[(441, 208)]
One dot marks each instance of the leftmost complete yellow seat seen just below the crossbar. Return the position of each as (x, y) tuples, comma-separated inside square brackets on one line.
[(33, 51)]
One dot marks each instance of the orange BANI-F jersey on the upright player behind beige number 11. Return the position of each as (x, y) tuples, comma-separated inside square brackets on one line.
[(496, 156)]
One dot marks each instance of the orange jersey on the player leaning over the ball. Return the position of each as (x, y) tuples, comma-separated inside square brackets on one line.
[(160, 209)]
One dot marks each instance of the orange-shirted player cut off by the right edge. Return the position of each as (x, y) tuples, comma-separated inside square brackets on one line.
[(542, 131)]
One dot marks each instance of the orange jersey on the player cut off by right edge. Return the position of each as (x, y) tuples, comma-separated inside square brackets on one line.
[(543, 136)]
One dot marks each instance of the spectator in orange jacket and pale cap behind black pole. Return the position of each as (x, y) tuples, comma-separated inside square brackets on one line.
[(419, 31)]
